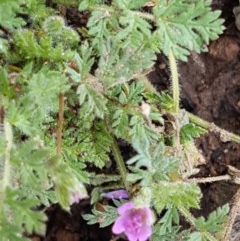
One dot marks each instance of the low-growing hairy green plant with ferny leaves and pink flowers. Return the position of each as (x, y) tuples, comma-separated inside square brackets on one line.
[(71, 97)]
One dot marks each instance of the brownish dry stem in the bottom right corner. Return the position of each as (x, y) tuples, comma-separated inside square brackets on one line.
[(232, 216)]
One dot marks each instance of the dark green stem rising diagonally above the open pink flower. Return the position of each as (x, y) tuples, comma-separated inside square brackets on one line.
[(120, 164)]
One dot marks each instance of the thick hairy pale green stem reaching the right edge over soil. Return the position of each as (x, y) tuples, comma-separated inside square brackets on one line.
[(224, 135)]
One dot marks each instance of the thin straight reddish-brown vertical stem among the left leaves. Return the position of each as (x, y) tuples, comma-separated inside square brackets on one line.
[(60, 123)]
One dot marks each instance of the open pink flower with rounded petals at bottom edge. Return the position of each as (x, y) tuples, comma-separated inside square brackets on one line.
[(134, 222)]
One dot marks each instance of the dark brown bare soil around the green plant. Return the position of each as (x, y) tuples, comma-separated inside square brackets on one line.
[(210, 86)]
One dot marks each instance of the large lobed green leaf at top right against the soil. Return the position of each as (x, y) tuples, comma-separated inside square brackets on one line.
[(186, 25)]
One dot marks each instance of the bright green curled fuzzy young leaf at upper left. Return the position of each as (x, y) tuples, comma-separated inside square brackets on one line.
[(47, 45)]
